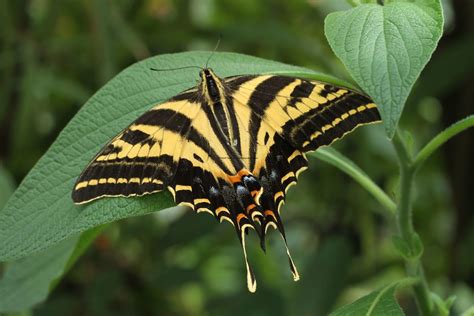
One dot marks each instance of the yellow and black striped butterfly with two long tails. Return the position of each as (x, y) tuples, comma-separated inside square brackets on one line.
[(230, 147)]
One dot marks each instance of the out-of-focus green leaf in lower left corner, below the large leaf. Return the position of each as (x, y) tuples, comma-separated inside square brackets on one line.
[(27, 281)]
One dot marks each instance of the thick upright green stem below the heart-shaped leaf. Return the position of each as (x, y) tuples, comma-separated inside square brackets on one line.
[(413, 264)]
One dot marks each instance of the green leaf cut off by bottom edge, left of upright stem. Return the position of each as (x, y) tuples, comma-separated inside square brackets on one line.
[(381, 302)]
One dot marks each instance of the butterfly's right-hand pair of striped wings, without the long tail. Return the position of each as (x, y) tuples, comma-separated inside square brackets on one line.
[(287, 117)]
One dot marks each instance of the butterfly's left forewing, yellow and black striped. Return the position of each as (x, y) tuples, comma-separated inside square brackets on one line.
[(143, 158)]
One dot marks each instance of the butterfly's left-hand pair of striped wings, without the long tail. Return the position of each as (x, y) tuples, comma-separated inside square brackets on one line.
[(171, 146)]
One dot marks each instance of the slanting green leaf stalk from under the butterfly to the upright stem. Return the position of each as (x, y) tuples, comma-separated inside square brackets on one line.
[(332, 156)]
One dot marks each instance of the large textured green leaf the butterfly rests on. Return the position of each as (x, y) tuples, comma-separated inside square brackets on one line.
[(41, 213)]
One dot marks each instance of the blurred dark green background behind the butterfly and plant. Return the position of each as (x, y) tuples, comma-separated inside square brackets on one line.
[(56, 54)]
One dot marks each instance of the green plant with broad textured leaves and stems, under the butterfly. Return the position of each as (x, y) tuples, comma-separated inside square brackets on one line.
[(40, 222)]
